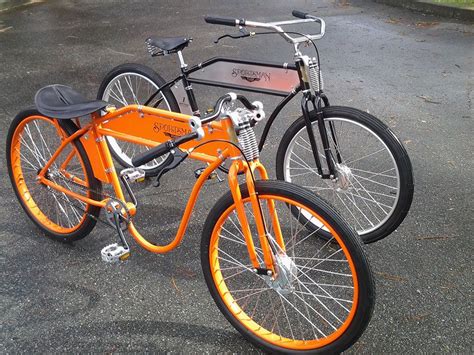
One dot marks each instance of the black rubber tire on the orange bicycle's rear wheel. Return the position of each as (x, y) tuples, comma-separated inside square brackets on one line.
[(88, 222)]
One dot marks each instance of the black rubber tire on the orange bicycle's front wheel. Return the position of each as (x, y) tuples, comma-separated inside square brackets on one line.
[(275, 190)]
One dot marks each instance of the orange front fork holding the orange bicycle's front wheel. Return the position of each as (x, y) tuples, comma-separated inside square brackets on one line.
[(268, 248)]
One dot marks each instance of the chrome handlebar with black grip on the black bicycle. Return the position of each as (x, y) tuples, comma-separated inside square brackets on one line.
[(275, 26)]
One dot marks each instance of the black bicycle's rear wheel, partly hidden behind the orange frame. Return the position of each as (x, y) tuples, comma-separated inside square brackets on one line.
[(134, 84)]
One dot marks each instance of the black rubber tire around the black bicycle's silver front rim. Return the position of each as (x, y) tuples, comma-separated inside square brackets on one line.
[(400, 157)]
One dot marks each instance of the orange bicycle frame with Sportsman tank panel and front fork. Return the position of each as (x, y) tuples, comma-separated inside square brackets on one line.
[(149, 127)]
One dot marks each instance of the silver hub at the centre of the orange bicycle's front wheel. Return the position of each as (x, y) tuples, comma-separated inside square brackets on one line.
[(286, 274)]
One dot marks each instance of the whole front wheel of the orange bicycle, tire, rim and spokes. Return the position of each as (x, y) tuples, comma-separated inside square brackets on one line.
[(322, 296)]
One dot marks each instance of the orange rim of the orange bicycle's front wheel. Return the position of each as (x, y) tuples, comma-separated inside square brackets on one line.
[(241, 315)]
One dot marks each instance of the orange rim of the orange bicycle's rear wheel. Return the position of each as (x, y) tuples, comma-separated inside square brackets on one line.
[(22, 186)]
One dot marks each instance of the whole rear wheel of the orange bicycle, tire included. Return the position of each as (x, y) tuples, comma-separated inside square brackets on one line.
[(32, 140)]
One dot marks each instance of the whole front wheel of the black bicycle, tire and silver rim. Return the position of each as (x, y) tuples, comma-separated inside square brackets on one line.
[(373, 189)]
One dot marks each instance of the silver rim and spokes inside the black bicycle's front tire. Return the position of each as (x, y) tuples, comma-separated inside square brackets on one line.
[(369, 192)]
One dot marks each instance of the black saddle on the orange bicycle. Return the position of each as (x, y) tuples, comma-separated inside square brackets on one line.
[(60, 101)]
